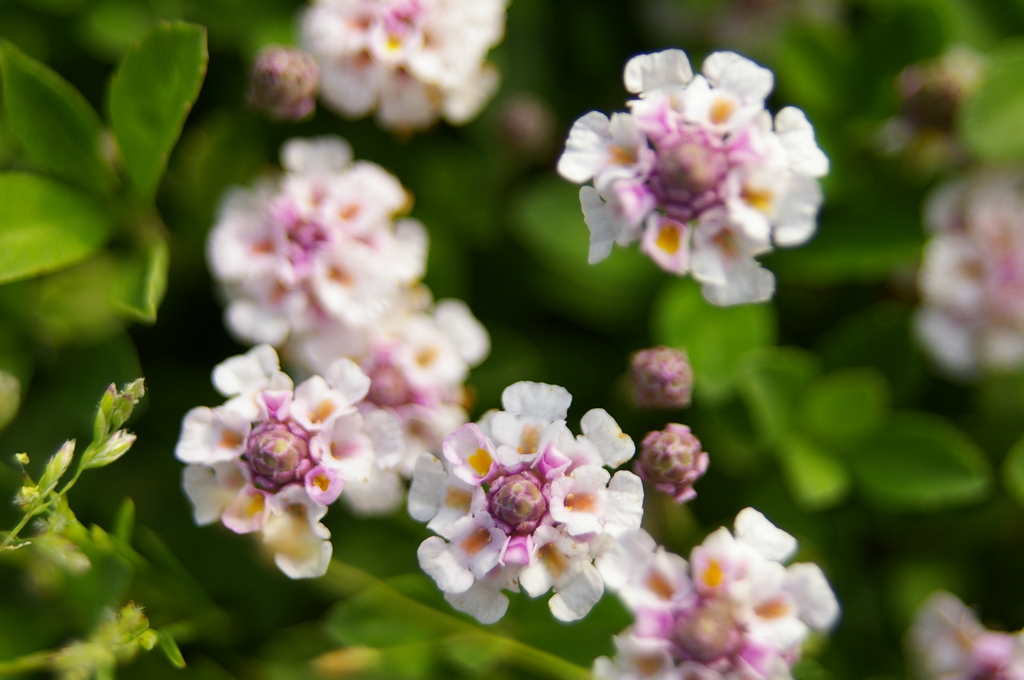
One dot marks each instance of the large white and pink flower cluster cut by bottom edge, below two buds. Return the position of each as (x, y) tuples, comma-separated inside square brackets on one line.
[(734, 612)]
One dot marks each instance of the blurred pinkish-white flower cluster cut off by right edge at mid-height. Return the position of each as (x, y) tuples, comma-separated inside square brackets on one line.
[(972, 278)]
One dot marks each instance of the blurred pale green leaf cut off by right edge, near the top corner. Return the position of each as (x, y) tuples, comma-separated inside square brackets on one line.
[(991, 120)]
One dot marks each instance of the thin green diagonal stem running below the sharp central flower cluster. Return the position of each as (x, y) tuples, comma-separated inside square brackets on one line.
[(346, 580)]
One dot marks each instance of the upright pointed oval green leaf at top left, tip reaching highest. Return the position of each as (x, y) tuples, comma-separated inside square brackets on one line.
[(151, 97)]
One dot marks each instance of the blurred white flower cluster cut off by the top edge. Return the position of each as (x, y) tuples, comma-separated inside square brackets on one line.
[(413, 61)]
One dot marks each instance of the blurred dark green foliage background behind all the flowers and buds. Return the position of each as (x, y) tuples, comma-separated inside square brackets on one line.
[(819, 409)]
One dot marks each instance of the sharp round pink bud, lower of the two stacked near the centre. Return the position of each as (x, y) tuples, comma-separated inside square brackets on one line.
[(672, 461)]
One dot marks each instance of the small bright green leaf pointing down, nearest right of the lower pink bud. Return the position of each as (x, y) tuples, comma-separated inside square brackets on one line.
[(817, 480)]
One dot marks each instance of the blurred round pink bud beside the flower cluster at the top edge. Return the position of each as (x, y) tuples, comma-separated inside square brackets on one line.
[(284, 83)]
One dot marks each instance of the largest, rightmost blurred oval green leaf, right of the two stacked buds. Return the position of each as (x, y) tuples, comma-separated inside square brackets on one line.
[(919, 461)]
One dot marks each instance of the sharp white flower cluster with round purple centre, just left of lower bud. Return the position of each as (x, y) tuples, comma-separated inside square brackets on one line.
[(518, 501)]
